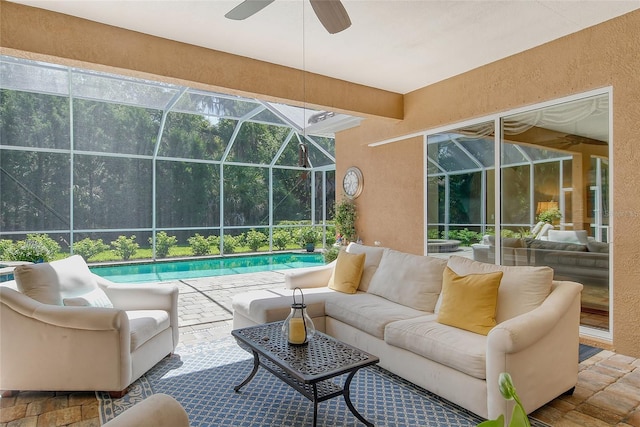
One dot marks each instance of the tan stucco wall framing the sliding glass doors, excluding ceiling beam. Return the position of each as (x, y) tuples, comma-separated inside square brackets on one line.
[(601, 56)]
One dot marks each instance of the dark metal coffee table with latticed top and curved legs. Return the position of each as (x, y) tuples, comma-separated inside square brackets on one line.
[(309, 369)]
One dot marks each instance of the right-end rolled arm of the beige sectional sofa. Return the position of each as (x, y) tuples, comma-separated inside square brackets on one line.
[(539, 349)]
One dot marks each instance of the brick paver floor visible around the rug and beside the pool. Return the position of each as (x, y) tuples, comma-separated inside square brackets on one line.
[(607, 393)]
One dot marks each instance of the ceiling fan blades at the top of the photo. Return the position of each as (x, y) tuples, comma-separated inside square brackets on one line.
[(331, 13)]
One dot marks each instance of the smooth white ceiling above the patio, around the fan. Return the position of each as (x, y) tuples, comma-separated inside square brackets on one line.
[(397, 45)]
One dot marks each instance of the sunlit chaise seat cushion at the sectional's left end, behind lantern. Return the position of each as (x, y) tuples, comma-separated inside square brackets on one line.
[(272, 305)]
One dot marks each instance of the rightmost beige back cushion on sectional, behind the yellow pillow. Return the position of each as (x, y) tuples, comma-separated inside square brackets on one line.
[(522, 288)]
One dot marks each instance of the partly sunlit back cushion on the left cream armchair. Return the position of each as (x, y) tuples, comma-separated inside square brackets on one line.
[(50, 283)]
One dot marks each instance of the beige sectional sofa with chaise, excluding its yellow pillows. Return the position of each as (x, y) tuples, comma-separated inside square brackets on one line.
[(395, 315)]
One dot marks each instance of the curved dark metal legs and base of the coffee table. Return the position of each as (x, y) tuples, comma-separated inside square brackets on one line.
[(316, 392)]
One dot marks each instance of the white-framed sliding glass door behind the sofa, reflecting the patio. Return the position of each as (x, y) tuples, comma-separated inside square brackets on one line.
[(553, 194)]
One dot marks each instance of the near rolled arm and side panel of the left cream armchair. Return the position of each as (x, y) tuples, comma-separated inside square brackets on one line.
[(62, 348)]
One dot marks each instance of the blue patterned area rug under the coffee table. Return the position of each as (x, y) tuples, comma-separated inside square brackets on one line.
[(202, 380)]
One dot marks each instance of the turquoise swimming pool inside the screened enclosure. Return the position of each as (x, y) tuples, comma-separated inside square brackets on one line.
[(192, 269)]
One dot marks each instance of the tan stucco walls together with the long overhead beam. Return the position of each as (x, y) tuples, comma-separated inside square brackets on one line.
[(391, 206)]
